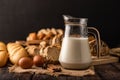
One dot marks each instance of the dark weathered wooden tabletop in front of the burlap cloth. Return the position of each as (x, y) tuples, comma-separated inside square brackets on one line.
[(103, 72)]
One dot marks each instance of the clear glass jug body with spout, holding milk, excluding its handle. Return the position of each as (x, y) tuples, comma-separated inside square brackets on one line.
[(75, 51)]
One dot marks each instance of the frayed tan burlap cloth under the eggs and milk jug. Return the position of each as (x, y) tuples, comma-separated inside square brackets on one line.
[(49, 70)]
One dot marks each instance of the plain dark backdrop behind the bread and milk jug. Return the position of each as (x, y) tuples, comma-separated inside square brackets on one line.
[(20, 17)]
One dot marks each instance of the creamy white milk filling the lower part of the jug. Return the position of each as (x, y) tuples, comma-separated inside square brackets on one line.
[(75, 53)]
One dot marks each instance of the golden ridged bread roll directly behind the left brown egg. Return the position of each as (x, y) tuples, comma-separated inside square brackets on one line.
[(16, 51)]
